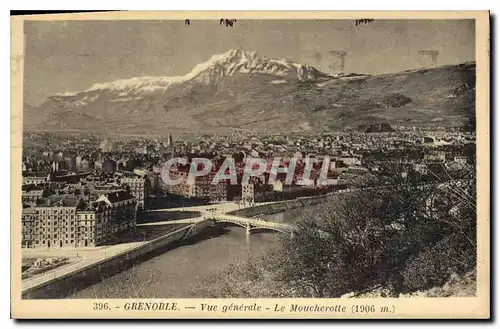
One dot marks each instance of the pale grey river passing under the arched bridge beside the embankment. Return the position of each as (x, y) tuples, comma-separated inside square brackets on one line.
[(174, 274)]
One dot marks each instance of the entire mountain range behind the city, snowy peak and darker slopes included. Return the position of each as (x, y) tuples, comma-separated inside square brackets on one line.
[(240, 90)]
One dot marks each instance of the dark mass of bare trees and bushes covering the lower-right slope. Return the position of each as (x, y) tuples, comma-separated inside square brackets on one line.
[(382, 236)]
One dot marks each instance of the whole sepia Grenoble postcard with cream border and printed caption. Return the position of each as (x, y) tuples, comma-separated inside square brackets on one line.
[(259, 165)]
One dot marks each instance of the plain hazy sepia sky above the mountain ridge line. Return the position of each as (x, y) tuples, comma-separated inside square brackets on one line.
[(69, 56)]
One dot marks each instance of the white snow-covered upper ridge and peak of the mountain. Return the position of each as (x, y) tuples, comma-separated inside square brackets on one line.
[(212, 71)]
